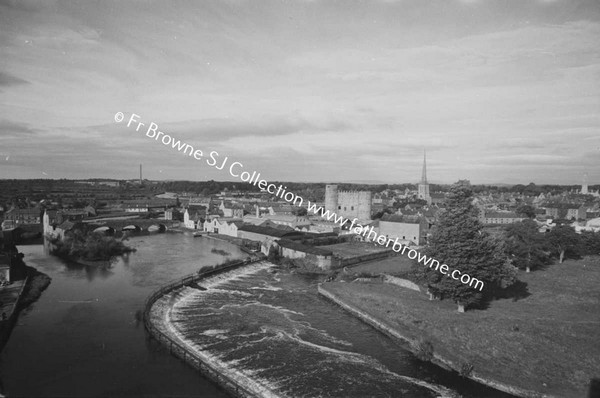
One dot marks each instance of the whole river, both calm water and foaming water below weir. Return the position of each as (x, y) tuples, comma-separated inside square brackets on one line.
[(82, 337)]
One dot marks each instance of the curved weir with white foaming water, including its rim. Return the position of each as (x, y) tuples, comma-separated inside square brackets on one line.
[(241, 326)]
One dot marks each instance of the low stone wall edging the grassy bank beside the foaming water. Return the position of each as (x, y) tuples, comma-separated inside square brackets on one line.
[(436, 359)]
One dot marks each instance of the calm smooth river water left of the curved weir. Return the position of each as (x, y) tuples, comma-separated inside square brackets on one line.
[(82, 338)]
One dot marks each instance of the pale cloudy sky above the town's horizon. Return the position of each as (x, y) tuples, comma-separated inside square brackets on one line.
[(324, 91)]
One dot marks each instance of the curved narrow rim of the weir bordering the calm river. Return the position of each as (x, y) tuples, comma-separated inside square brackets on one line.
[(235, 387)]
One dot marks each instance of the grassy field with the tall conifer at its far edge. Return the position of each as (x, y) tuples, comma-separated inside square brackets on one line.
[(547, 342)]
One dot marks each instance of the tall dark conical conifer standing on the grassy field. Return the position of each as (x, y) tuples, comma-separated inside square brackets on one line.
[(458, 240)]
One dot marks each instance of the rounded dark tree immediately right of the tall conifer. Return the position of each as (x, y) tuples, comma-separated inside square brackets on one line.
[(525, 245)]
